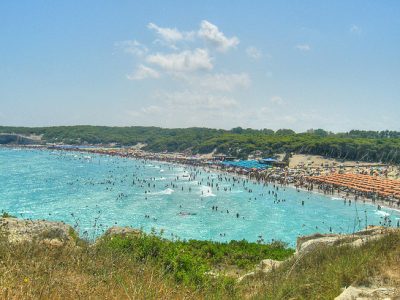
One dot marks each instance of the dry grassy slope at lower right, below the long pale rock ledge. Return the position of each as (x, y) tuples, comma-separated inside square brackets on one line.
[(322, 273)]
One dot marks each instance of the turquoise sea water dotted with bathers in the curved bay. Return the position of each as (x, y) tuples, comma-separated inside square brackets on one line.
[(96, 192)]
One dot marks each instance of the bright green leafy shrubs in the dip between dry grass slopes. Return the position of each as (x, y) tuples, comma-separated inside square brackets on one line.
[(188, 261)]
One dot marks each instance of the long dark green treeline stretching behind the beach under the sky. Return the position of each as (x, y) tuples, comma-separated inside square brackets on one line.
[(360, 145)]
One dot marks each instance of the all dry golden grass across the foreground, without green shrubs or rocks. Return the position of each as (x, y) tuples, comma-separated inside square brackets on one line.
[(38, 271)]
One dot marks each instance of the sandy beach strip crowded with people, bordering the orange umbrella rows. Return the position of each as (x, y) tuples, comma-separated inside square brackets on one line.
[(298, 173)]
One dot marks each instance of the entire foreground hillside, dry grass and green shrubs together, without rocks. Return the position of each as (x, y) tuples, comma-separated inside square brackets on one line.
[(148, 267)]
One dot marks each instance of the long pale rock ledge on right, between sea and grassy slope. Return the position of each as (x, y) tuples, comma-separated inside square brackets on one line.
[(308, 243)]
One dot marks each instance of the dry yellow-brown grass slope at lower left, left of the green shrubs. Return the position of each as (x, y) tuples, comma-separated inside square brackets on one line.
[(37, 271)]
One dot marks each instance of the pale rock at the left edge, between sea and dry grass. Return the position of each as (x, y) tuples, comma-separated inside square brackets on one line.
[(51, 233)]
